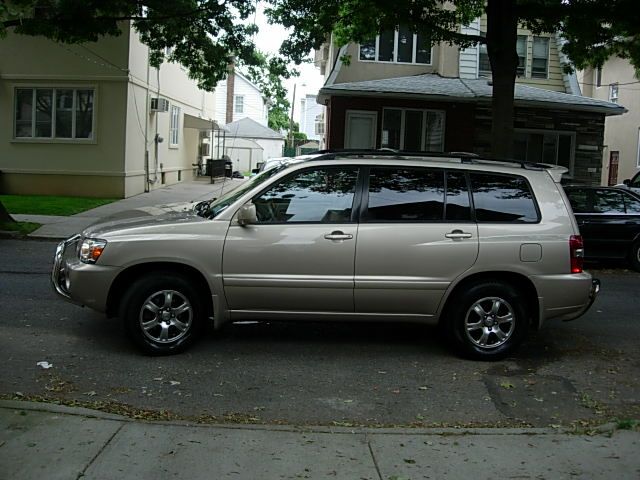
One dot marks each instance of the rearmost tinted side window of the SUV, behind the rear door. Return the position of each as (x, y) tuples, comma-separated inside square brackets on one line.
[(502, 198)]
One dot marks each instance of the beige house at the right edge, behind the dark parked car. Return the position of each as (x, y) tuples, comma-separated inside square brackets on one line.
[(617, 81)]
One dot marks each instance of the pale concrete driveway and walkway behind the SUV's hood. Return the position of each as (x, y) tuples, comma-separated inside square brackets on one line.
[(58, 227)]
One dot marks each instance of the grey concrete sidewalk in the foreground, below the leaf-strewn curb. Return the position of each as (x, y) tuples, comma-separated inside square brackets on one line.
[(49, 441)]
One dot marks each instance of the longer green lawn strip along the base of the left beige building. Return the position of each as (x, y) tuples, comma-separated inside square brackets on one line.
[(50, 205)]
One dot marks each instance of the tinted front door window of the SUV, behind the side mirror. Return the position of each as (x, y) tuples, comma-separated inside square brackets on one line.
[(322, 195)]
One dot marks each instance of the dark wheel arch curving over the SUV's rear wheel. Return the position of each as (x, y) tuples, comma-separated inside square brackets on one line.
[(517, 280)]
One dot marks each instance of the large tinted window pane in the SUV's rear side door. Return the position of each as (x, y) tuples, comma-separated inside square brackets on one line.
[(404, 194)]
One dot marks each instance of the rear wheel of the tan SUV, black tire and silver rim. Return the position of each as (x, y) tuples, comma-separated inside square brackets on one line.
[(487, 321)]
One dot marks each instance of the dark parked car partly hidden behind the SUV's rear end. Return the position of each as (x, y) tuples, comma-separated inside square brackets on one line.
[(609, 221)]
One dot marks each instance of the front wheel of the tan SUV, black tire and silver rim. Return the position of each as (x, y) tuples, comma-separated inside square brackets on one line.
[(162, 313)]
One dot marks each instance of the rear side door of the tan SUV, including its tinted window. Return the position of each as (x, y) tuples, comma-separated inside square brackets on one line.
[(413, 241)]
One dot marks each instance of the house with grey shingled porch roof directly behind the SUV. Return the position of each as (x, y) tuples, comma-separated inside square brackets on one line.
[(400, 91)]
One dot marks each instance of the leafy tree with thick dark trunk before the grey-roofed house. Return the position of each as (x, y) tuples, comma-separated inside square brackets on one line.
[(593, 30)]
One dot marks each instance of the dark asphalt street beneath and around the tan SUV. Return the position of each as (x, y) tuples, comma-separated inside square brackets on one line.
[(577, 373)]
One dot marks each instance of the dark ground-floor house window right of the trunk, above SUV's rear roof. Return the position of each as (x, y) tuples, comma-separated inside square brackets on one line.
[(546, 146)]
